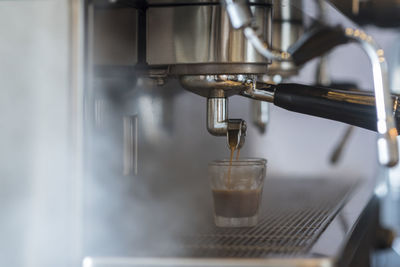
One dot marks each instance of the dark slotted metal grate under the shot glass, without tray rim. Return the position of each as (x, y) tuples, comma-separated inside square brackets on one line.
[(294, 214)]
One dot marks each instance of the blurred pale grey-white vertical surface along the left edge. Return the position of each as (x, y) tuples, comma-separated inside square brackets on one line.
[(34, 99)]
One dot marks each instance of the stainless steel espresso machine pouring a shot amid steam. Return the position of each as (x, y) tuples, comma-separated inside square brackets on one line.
[(159, 79)]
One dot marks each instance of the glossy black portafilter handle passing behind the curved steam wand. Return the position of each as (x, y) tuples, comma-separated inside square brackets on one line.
[(355, 108)]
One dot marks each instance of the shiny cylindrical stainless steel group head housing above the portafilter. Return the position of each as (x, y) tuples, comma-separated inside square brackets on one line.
[(196, 38)]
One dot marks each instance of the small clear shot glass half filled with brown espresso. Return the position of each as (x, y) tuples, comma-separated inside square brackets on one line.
[(237, 191)]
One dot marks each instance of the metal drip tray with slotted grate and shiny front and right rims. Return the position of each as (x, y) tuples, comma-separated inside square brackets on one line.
[(297, 216)]
